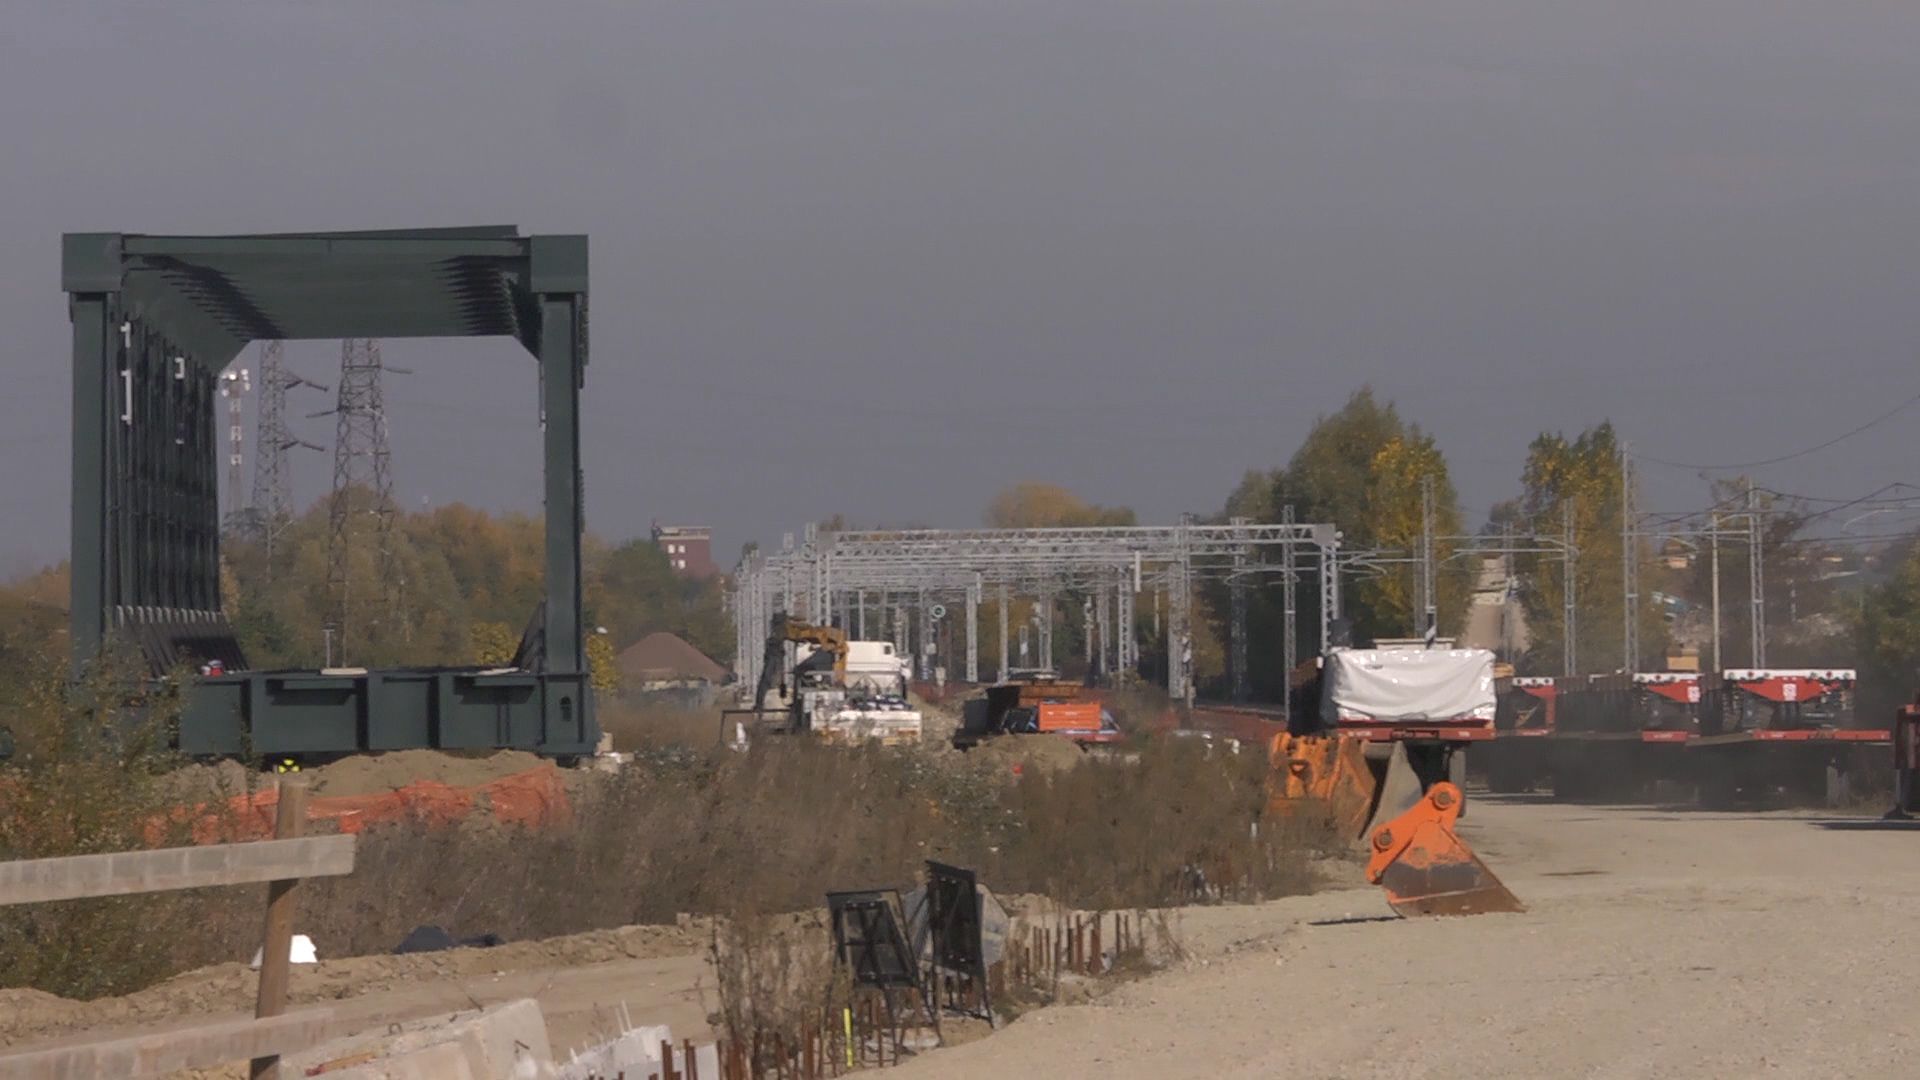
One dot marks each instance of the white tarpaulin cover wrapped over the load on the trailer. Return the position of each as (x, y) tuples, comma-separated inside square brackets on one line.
[(1408, 685)]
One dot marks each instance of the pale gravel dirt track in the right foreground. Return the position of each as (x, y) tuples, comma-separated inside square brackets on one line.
[(1658, 945)]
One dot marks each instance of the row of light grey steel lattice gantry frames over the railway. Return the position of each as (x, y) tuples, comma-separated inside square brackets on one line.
[(938, 566)]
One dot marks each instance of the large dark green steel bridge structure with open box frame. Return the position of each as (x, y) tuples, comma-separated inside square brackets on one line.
[(155, 324)]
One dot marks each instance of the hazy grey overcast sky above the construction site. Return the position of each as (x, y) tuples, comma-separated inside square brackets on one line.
[(886, 257)]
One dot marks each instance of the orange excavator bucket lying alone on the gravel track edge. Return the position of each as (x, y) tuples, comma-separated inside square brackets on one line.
[(1428, 870)]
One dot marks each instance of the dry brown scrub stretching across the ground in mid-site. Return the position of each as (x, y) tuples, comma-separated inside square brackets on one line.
[(736, 835)]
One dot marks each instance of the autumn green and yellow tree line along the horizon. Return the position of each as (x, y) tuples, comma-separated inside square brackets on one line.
[(466, 581)]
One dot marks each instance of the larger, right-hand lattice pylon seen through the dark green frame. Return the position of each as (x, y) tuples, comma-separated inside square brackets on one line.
[(364, 489)]
